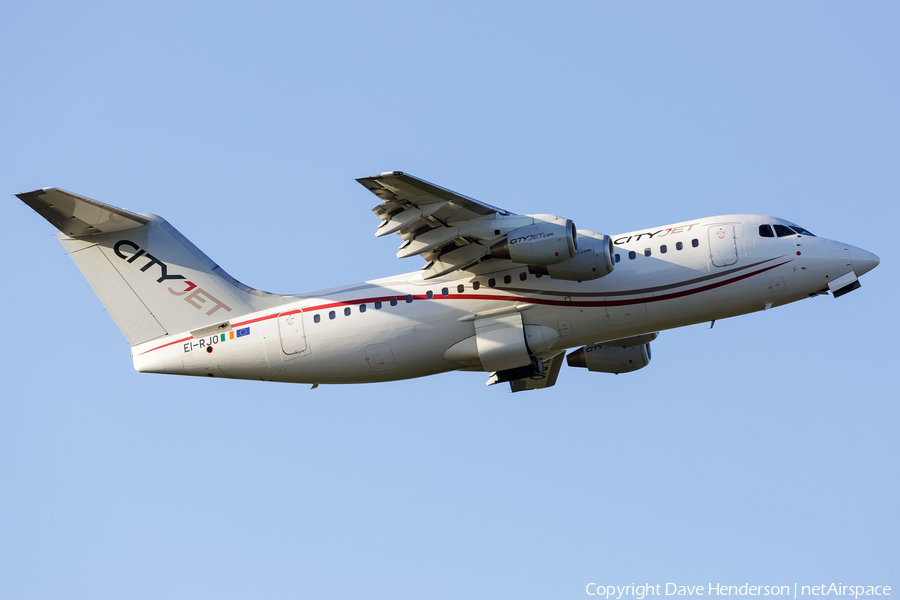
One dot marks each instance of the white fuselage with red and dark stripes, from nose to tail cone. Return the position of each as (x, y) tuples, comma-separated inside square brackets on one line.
[(402, 327)]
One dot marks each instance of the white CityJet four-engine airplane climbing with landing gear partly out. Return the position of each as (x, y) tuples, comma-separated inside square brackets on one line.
[(500, 293)]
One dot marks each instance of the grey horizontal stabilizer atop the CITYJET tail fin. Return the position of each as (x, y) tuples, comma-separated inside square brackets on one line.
[(77, 216)]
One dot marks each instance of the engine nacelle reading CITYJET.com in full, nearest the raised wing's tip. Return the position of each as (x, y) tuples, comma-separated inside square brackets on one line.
[(544, 243)]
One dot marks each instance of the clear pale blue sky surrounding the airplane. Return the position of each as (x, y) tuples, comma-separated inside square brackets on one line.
[(764, 450)]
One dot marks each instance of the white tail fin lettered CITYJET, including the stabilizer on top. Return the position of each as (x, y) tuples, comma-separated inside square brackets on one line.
[(153, 281)]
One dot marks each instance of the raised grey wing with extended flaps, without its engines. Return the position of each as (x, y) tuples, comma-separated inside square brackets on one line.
[(449, 230)]
